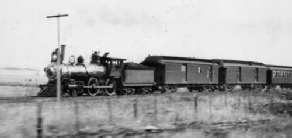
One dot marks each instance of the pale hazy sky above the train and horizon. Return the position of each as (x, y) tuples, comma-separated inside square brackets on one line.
[(254, 30)]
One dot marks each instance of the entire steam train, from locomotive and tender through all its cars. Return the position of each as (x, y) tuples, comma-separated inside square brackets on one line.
[(109, 76)]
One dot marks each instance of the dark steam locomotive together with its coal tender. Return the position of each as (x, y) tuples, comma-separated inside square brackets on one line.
[(103, 76)]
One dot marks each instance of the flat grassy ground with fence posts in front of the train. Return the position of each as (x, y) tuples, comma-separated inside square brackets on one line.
[(181, 114)]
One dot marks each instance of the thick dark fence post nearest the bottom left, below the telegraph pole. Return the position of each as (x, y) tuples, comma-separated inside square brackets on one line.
[(39, 128)]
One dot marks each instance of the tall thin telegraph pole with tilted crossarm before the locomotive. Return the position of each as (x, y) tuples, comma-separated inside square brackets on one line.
[(58, 55)]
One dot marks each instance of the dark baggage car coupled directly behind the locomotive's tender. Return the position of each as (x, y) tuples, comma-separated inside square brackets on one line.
[(173, 72)]
